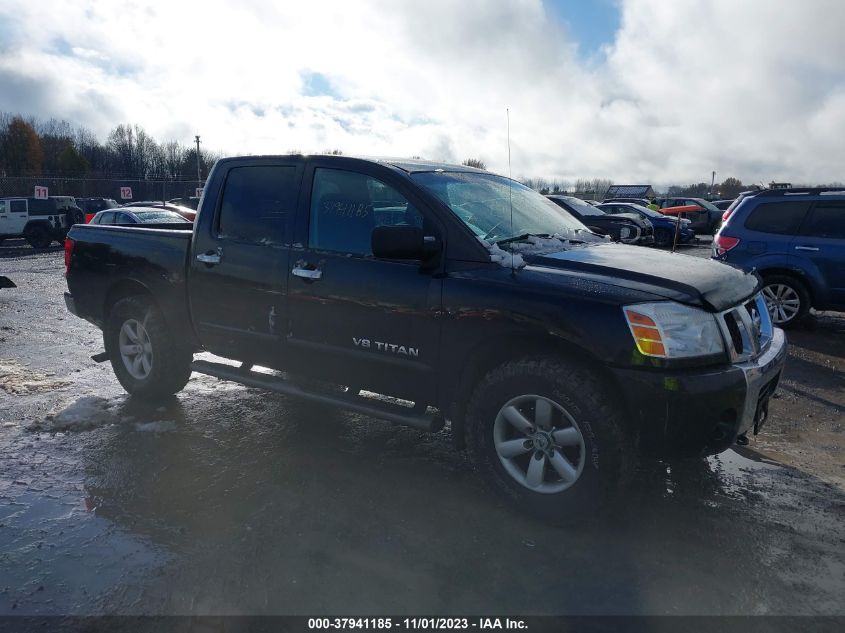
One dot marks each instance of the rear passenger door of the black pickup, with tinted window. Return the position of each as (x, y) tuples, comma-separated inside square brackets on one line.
[(239, 260)]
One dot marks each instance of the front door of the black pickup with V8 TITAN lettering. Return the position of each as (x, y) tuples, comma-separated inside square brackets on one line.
[(354, 319)]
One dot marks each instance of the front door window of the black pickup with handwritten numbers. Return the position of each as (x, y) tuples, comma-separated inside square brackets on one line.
[(346, 206)]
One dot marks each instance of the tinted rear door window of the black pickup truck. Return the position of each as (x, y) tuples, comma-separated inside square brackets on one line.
[(258, 204)]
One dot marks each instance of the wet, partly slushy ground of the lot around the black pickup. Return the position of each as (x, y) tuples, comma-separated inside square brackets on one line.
[(229, 500)]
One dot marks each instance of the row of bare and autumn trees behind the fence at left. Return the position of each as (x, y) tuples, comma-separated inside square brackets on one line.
[(34, 147)]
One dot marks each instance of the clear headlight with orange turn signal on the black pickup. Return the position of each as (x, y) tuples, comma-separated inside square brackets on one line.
[(673, 330)]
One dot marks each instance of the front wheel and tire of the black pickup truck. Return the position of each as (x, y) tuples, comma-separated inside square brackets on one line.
[(545, 433)]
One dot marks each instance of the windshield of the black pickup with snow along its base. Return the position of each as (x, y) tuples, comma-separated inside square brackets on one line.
[(484, 201)]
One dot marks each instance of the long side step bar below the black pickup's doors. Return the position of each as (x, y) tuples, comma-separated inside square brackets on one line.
[(431, 422)]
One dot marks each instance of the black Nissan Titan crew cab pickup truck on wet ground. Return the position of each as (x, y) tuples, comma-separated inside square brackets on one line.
[(423, 293)]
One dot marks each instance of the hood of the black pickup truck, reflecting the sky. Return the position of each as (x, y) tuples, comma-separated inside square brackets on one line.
[(691, 280)]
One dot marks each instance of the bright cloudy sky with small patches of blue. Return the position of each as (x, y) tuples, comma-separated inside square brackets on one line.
[(632, 90)]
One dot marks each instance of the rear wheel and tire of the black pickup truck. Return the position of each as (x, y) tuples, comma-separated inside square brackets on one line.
[(147, 358)]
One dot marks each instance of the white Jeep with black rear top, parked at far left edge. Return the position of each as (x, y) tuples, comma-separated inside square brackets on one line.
[(39, 221)]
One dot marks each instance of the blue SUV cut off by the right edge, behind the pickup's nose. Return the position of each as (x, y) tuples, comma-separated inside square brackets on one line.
[(795, 240)]
